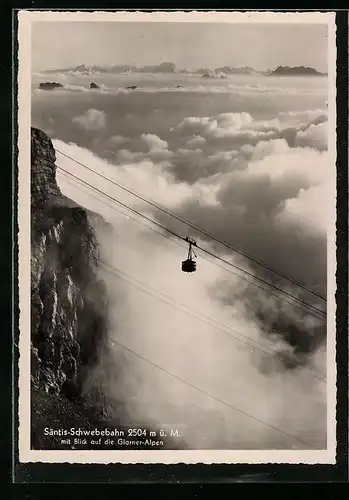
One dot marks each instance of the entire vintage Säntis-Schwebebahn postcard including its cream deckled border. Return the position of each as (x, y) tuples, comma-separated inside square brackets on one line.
[(177, 256)]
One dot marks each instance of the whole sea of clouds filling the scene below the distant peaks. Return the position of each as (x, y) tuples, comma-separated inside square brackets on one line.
[(252, 167)]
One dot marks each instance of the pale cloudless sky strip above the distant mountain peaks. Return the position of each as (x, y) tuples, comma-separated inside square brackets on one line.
[(58, 45)]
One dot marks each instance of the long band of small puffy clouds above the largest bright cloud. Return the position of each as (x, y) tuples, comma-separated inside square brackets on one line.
[(201, 147)]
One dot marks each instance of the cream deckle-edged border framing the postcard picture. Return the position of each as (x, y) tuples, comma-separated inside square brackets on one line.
[(26, 454)]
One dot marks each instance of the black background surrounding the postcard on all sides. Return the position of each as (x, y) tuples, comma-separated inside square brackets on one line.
[(139, 473)]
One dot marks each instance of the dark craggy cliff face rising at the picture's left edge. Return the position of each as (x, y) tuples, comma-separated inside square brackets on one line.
[(68, 302)]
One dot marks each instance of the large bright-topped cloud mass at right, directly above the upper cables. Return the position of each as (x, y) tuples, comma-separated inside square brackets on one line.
[(251, 199)]
